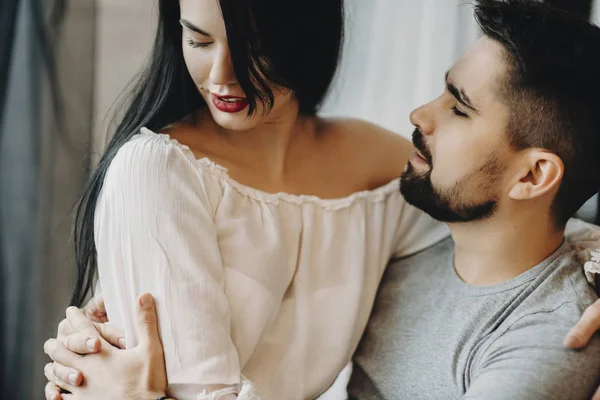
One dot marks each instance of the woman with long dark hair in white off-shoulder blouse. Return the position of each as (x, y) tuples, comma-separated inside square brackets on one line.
[(261, 229)]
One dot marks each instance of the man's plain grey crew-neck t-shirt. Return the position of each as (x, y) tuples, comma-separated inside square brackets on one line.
[(432, 336)]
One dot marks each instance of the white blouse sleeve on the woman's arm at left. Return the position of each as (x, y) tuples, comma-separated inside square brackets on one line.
[(154, 233)]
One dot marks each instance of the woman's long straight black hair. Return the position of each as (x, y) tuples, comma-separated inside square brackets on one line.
[(292, 44)]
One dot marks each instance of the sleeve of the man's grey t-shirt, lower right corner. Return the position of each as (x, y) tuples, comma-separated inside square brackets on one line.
[(529, 362)]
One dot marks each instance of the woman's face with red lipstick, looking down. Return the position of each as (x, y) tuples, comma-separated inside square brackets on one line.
[(206, 54)]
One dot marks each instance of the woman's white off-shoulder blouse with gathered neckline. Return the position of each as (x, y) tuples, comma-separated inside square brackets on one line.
[(275, 288)]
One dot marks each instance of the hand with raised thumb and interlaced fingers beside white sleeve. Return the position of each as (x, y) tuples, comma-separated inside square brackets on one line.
[(107, 371)]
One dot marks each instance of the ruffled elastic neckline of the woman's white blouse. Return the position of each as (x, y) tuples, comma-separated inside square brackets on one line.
[(206, 164)]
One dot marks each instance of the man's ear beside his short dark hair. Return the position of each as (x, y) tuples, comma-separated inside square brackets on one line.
[(541, 174)]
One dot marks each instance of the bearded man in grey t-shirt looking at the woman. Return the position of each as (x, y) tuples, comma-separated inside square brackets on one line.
[(506, 155)]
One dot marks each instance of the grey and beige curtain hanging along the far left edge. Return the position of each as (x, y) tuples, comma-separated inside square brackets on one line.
[(45, 131)]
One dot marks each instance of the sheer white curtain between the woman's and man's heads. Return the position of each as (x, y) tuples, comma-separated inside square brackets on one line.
[(396, 54)]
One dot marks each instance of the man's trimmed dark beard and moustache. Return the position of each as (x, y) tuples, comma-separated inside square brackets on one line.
[(450, 205)]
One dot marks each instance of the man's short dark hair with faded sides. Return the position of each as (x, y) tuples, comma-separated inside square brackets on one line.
[(552, 89)]
